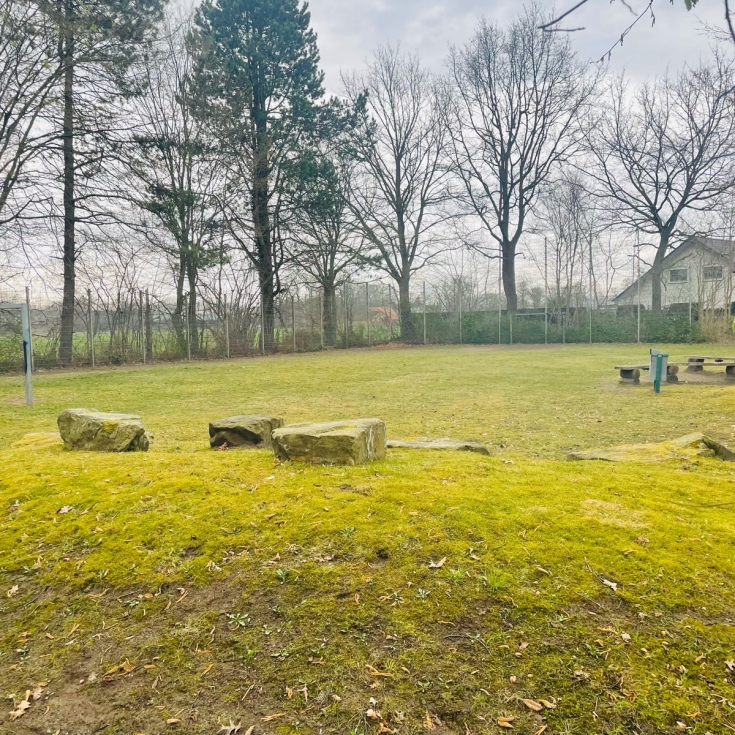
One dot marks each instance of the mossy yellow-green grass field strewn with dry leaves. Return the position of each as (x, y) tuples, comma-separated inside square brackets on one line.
[(186, 590)]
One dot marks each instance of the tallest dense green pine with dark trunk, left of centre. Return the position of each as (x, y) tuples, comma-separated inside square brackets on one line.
[(258, 82)]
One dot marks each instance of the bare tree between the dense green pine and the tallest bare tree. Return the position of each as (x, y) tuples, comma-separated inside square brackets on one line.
[(399, 190)]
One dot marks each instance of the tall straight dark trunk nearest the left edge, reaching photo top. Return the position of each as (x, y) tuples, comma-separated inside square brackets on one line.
[(66, 341)]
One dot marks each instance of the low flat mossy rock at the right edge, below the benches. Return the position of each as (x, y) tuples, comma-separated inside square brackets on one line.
[(691, 446)]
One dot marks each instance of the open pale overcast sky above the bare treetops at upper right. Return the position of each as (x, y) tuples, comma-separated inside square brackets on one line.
[(349, 30)]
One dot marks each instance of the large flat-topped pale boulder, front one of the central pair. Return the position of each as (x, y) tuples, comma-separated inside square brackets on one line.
[(338, 442)]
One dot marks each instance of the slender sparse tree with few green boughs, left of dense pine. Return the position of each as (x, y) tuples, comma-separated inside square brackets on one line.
[(176, 174)]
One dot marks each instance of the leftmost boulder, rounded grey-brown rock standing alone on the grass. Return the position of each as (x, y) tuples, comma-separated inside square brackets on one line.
[(94, 431)]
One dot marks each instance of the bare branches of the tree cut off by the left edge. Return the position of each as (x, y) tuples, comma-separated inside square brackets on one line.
[(28, 74)]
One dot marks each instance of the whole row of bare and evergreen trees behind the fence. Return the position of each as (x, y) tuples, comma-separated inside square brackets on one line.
[(199, 159)]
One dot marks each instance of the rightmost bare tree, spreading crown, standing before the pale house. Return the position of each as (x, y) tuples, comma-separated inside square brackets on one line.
[(669, 149)]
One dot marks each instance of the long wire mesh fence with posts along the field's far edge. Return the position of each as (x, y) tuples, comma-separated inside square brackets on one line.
[(138, 327)]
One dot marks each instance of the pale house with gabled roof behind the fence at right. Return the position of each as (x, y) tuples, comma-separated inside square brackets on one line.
[(698, 273)]
